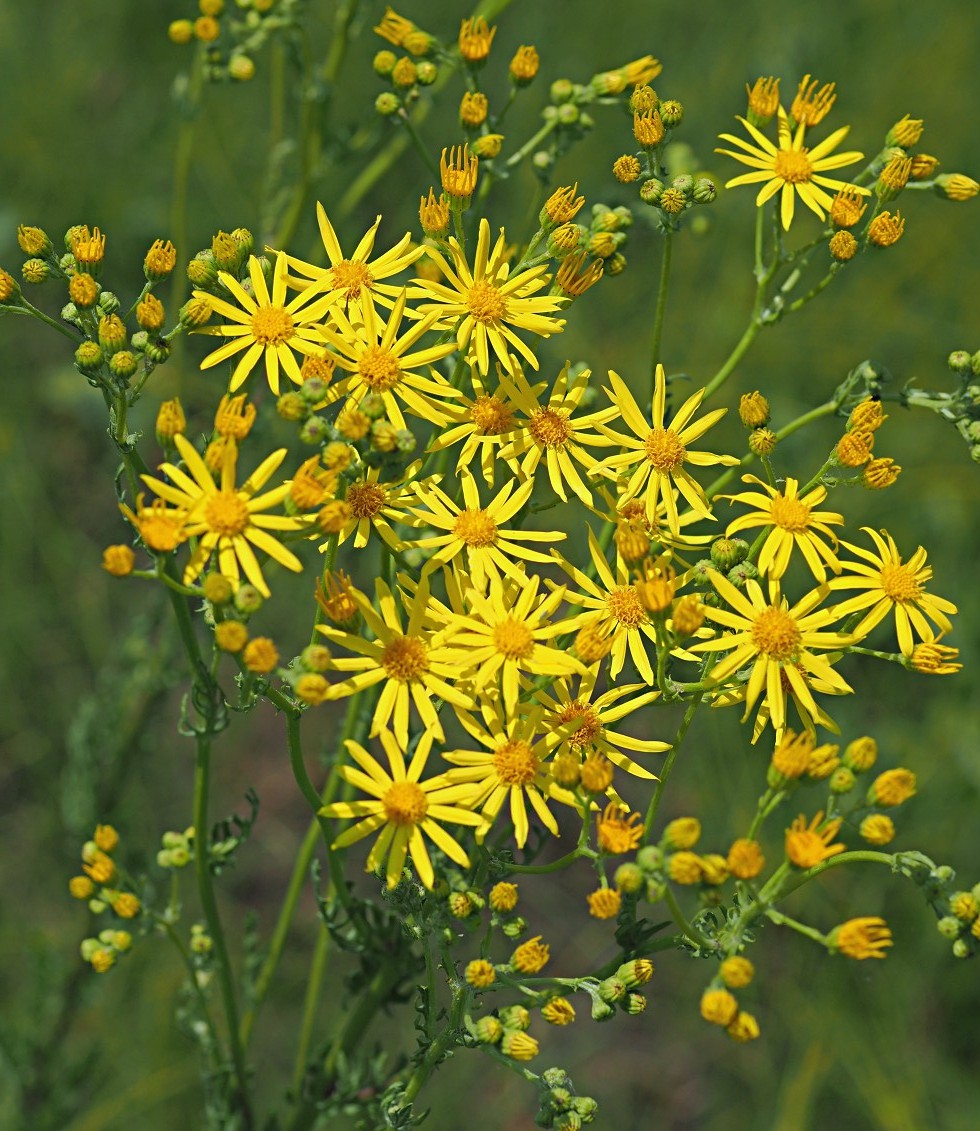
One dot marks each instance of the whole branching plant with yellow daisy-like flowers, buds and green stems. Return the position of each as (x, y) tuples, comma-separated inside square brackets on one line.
[(523, 580)]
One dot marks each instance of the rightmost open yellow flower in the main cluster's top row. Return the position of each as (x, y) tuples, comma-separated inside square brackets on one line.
[(487, 305)]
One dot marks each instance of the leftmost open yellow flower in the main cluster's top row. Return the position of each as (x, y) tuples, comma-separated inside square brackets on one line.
[(265, 326)]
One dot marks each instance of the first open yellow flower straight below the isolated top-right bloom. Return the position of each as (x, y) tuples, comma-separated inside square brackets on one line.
[(794, 523)]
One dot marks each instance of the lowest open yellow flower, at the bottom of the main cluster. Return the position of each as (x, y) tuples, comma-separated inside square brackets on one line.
[(403, 808)]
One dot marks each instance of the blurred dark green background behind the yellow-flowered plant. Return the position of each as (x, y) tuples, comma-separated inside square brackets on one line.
[(89, 137)]
